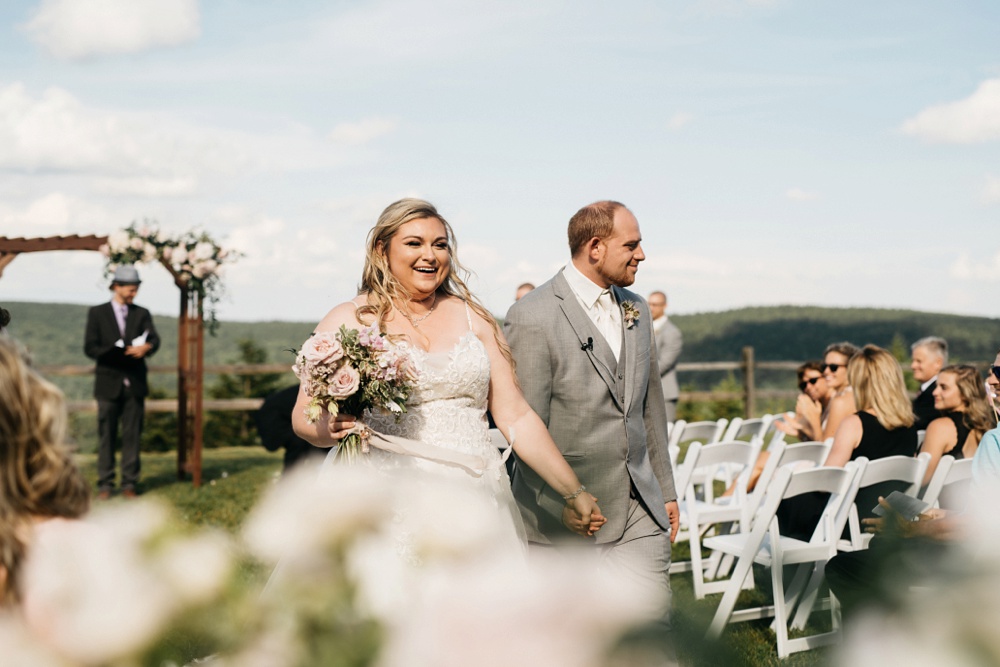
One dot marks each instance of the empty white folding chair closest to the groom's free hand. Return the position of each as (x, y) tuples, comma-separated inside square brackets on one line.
[(700, 516)]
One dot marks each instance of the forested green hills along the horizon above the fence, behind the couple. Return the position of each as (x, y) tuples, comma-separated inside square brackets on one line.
[(54, 333)]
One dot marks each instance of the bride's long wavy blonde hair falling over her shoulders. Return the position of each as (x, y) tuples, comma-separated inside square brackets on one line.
[(382, 288)]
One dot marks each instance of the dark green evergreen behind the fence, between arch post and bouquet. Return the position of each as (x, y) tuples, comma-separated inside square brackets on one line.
[(229, 429)]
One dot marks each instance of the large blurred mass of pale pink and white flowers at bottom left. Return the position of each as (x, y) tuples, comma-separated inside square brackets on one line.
[(362, 569)]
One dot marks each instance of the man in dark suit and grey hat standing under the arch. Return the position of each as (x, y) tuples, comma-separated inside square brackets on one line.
[(120, 335)]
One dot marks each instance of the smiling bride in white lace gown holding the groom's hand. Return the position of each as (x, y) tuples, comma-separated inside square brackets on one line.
[(412, 291)]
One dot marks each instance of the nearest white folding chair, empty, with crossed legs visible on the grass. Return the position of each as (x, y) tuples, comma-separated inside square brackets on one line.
[(766, 546)]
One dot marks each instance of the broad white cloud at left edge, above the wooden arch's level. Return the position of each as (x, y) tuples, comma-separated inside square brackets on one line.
[(128, 153)]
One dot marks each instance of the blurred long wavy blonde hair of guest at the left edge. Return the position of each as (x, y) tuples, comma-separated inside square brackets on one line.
[(38, 480)]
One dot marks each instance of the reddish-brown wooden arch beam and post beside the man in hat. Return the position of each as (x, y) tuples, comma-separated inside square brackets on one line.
[(190, 345)]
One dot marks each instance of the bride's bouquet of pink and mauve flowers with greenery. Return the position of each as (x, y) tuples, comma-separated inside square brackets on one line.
[(351, 371)]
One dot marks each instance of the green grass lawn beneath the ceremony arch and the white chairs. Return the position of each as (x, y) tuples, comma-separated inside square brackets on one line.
[(233, 479)]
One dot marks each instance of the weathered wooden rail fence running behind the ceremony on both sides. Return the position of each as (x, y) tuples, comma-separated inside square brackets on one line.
[(747, 367)]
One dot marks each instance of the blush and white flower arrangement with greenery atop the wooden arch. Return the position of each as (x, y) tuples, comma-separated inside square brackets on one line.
[(195, 258)]
